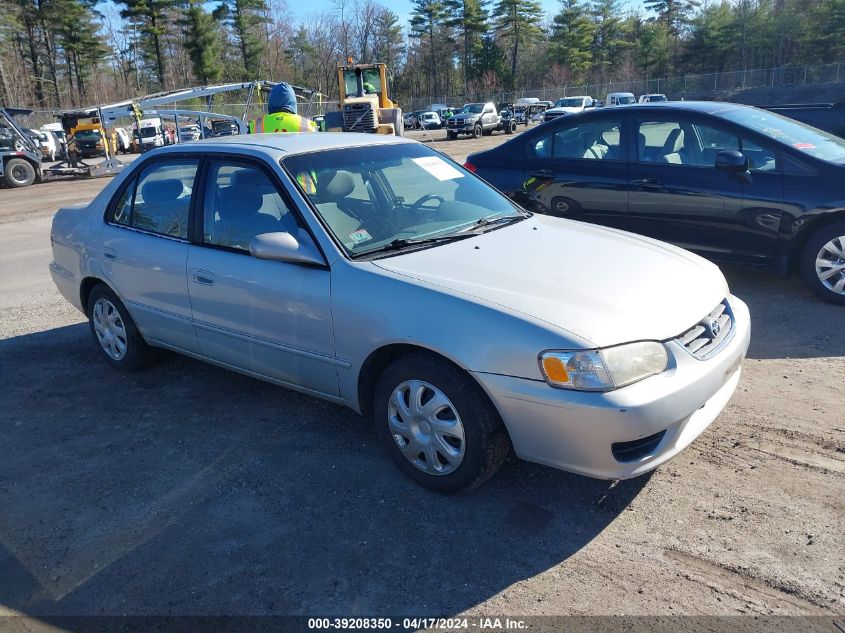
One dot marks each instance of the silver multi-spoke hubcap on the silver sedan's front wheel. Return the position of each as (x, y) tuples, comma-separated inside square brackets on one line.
[(426, 427)]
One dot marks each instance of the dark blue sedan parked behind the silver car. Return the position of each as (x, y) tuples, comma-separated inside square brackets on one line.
[(730, 182)]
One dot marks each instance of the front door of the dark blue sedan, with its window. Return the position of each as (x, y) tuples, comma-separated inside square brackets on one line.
[(678, 195)]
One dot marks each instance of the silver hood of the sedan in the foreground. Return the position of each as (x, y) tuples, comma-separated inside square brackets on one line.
[(605, 286)]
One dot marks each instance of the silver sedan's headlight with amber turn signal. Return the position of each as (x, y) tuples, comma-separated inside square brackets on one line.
[(603, 369)]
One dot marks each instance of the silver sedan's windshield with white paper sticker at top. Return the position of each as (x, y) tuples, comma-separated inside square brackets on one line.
[(378, 195)]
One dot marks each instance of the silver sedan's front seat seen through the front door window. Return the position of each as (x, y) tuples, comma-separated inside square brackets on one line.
[(240, 218)]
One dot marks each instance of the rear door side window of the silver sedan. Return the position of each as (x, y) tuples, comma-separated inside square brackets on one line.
[(159, 199)]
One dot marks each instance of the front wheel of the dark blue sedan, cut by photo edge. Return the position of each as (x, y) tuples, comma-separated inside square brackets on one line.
[(826, 245)]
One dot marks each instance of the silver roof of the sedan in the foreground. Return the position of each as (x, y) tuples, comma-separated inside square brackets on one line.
[(294, 143)]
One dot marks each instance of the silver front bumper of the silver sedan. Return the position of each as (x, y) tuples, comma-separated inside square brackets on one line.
[(576, 430)]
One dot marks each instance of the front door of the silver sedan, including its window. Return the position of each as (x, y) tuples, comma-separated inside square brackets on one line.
[(267, 317)]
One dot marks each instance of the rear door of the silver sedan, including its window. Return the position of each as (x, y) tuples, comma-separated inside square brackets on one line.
[(145, 250)]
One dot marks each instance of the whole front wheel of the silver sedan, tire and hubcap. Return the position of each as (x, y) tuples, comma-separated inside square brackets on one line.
[(465, 410)]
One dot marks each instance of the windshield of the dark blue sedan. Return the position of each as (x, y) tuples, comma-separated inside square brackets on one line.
[(802, 137)]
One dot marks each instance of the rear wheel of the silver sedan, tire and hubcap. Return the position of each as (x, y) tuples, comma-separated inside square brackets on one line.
[(115, 332)]
